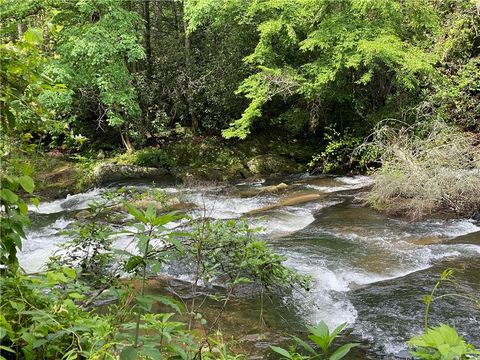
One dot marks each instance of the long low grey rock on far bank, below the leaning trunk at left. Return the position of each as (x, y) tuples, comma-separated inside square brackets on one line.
[(107, 172)]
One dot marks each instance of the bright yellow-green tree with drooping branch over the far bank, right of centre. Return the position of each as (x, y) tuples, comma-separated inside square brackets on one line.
[(336, 59)]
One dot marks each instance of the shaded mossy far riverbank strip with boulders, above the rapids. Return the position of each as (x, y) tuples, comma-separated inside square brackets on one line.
[(190, 160)]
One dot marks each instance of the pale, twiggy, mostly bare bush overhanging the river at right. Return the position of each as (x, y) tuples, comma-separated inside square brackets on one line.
[(426, 167)]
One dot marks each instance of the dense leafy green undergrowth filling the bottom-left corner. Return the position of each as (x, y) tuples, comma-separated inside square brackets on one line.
[(44, 317)]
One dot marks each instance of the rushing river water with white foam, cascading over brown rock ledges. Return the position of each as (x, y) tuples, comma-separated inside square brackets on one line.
[(369, 270)]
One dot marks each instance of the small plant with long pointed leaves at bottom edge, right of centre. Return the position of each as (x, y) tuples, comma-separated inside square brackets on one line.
[(320, 335)]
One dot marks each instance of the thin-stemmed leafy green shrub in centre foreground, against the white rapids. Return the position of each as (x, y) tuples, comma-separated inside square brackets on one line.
[(230, 251)]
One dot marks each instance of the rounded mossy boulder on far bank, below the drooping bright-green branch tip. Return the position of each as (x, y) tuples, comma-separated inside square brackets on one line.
[(272, 164)]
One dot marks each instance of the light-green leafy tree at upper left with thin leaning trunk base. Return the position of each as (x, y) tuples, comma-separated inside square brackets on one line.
[(100, 41)]
